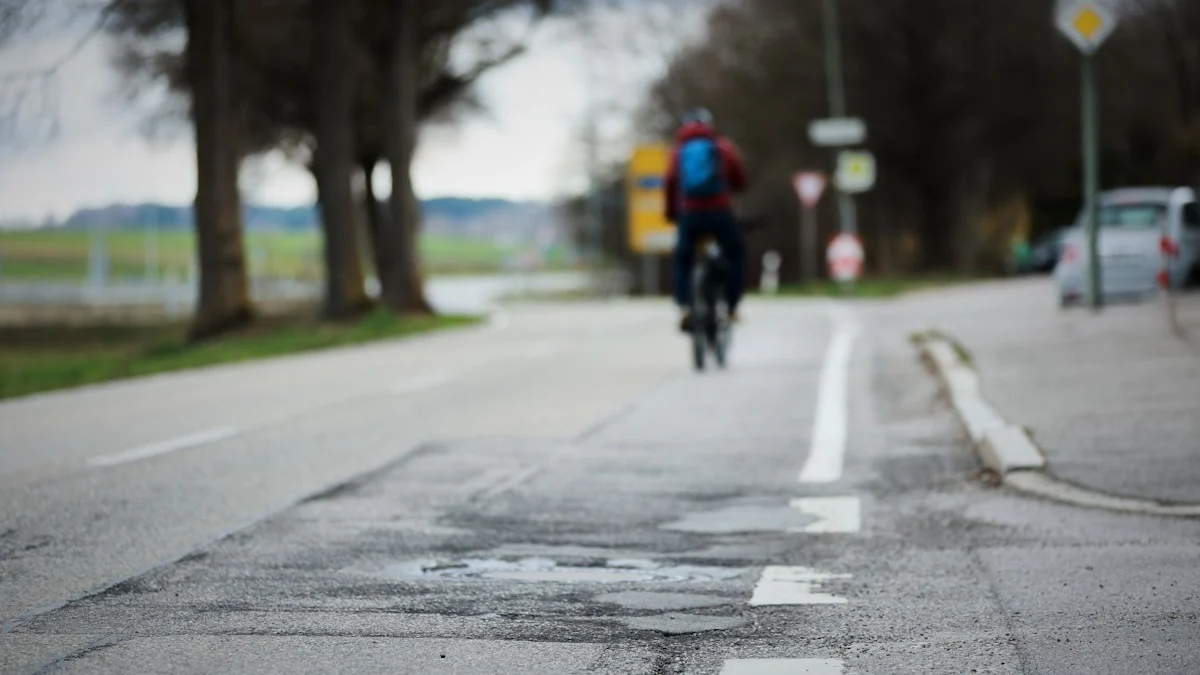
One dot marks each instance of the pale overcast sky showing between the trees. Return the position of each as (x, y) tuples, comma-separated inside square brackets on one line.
[(526, 147)]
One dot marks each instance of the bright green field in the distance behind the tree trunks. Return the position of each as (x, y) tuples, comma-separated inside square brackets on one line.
[(62, 255)]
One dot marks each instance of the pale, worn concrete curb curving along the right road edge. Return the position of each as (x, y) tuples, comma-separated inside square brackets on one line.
[(1009, 450)]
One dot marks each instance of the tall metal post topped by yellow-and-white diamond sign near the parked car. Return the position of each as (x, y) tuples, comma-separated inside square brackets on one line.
[(1089, 23)]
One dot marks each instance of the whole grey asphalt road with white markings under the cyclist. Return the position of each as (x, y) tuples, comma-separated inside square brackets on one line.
[(559, 493)]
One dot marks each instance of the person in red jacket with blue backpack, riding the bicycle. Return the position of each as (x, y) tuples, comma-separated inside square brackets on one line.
[(706, 170)]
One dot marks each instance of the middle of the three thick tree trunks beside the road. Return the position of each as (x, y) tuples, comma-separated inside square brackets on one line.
[(334, 160)]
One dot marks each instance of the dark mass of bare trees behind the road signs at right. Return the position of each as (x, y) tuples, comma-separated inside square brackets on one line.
[(973, 110)]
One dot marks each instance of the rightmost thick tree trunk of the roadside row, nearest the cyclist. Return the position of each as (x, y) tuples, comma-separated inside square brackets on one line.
[(404, 290)]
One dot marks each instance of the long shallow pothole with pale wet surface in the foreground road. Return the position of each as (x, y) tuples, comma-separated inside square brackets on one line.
[(542, 570)]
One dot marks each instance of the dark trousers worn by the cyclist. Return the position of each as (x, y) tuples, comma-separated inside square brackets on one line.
[(724, 228)]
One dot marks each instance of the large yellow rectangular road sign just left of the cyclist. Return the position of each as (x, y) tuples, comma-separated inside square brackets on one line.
[(649, 231)]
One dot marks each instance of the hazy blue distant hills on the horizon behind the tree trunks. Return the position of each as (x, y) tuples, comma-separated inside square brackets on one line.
[(445, 216)]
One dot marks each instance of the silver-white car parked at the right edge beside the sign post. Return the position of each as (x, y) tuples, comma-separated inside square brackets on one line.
[(1133, 225)]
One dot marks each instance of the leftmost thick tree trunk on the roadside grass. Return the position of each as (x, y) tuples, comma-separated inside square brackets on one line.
[(224, 300)]
